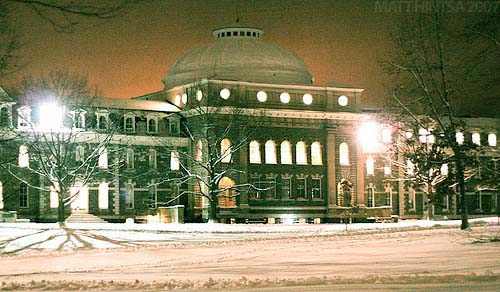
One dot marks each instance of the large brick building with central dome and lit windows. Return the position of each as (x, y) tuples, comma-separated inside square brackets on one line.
[(305, 161)]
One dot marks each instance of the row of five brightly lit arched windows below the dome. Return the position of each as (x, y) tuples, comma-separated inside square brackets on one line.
[(270, 155)]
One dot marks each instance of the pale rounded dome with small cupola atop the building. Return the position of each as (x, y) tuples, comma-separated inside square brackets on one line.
[(238, 53)]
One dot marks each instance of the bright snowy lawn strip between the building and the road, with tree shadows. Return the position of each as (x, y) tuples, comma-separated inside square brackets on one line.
[(17, 238)]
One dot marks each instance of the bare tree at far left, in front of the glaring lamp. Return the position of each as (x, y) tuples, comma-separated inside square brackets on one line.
[(63, 155)]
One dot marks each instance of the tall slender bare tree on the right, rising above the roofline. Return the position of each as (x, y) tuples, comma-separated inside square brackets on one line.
[(431, 77)]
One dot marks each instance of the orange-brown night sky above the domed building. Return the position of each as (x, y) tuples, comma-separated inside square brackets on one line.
[(340, 41)]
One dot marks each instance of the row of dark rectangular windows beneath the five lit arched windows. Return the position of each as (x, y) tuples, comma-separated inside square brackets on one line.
[(286, 187)]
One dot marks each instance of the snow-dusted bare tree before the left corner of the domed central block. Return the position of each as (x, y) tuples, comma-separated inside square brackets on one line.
[(211, 169)]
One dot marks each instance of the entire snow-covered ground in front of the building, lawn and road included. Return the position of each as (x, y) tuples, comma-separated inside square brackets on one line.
[(426, 256)]
